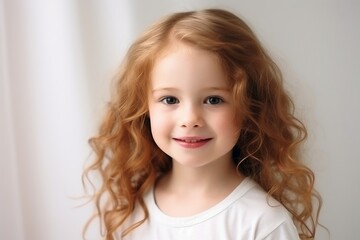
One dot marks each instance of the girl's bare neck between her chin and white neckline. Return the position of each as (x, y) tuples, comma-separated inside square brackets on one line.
[(186, 191)]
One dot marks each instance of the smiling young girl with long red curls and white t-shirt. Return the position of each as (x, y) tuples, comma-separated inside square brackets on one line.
[(199, 140)]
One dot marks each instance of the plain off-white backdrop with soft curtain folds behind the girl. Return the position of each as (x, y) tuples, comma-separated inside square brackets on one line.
[(57, 59)]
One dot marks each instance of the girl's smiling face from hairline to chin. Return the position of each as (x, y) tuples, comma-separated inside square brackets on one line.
[(190, 106)]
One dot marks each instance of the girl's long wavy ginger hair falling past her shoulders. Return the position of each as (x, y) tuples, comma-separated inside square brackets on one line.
[(129, 161)]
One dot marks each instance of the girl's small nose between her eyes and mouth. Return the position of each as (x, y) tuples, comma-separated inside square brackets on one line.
[(191, 117)]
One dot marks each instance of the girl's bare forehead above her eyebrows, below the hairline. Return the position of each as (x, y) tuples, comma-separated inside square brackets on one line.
[(187, 65)]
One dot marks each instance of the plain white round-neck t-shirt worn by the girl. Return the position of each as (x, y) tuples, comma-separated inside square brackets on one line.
[(245, 214)]
